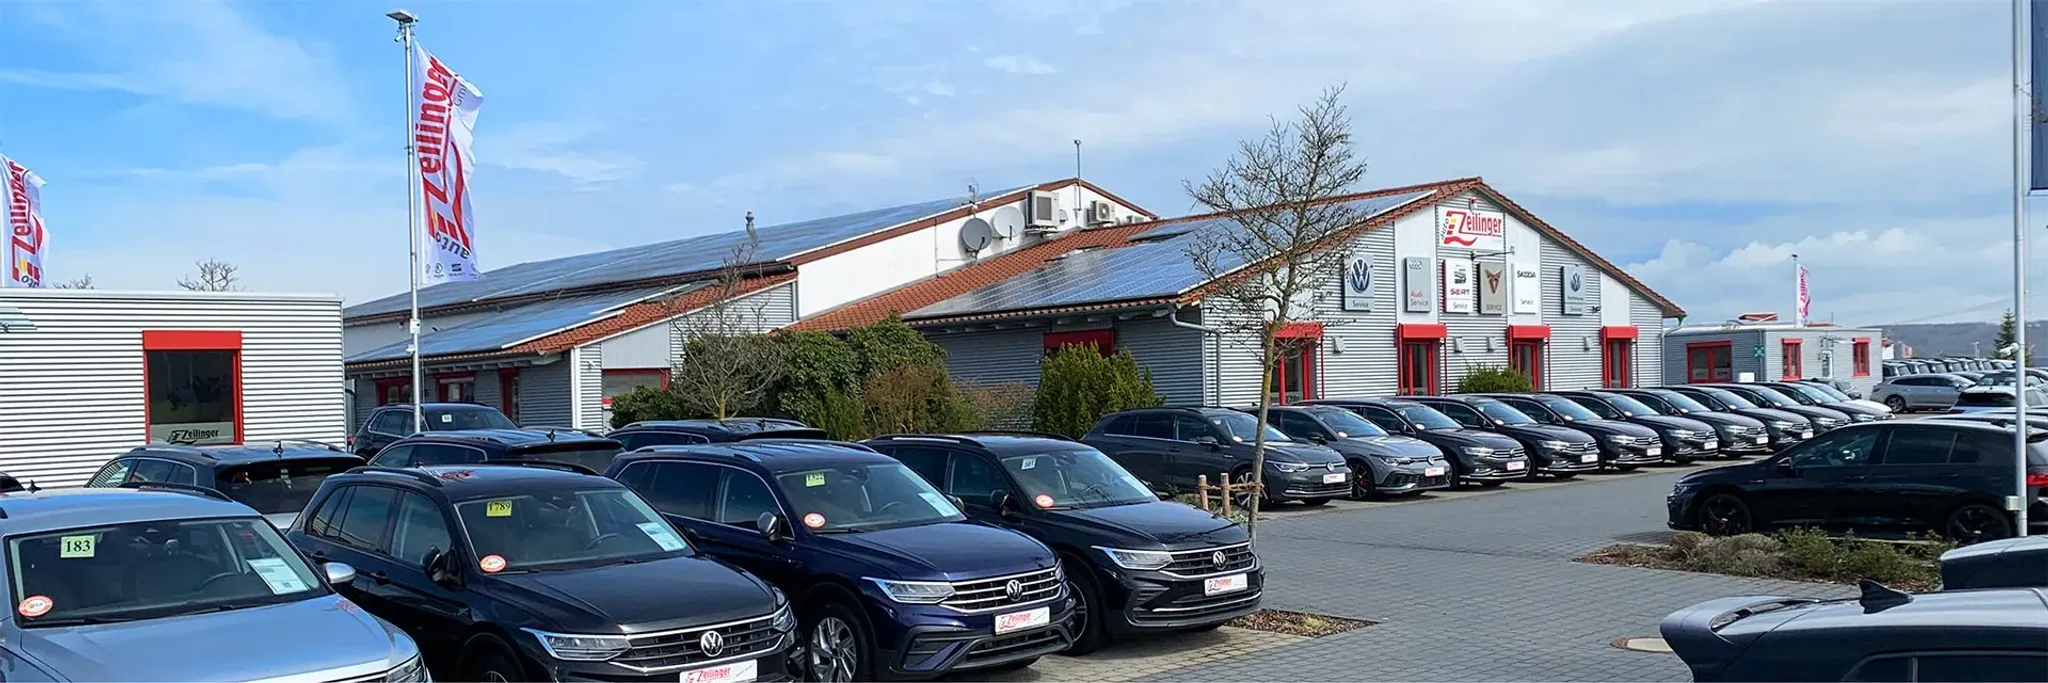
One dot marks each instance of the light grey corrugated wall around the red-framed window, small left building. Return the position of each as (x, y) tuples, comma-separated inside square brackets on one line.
[(73, 389)]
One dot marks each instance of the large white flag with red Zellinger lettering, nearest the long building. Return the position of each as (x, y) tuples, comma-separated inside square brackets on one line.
[(443, 124)]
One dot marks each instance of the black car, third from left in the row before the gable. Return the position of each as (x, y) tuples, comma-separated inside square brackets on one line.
[(1476, 456)]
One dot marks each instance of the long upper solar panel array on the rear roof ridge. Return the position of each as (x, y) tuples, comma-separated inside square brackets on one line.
[(677, 257)]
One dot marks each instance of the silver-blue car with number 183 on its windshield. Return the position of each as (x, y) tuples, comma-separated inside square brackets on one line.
[(136, 586)]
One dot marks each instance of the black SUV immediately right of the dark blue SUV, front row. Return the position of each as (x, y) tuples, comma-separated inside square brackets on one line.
[(1136, 563)]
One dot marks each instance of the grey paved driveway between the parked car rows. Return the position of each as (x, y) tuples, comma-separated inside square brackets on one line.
[(1467, 588)]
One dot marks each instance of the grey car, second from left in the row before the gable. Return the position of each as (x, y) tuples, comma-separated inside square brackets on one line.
[(1381, 463)]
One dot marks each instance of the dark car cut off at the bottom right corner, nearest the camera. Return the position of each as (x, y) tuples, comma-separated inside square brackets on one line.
[(1998, 635)]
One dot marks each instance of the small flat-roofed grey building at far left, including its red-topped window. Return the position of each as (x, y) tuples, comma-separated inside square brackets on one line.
[(75, 389)]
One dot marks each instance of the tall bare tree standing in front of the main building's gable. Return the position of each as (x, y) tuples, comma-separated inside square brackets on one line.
[(1267, 264)]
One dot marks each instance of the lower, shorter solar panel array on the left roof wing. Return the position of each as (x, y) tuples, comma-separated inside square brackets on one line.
[(515, 325)]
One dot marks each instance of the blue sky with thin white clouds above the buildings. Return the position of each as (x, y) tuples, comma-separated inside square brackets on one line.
[(1697, 143)]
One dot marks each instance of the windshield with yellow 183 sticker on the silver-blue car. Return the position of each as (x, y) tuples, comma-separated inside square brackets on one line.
[(155, 569)]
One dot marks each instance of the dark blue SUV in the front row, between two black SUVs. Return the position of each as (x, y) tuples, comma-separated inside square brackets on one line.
[(890, 579)]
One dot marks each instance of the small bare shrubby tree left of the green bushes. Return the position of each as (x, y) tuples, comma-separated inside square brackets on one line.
[(726, 364)]
